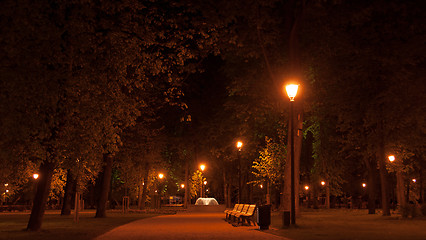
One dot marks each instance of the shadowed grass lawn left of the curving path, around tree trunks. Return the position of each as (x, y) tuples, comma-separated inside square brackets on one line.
[(12, 225)]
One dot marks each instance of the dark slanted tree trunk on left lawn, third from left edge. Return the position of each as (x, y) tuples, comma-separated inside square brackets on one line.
[(105, 186)]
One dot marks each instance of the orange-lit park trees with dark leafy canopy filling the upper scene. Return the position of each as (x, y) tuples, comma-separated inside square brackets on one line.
[(121, 90)]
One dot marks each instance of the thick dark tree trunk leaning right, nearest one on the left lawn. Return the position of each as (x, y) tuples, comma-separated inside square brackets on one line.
[(40, 200)]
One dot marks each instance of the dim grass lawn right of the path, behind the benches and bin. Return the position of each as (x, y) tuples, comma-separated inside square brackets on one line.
[(349, 224)]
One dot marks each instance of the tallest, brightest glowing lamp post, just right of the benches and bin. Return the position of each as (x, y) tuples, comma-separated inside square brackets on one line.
[(291, 90)]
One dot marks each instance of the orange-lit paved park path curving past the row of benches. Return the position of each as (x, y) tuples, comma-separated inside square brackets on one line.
[(188, 225)]
